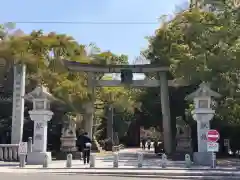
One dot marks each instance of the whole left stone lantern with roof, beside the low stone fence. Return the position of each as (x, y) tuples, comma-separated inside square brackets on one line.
[(40, 114)]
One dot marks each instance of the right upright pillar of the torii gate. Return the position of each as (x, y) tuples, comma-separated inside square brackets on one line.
[(166, 118)]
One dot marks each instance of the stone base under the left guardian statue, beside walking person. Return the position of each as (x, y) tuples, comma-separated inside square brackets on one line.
[(68, 144)]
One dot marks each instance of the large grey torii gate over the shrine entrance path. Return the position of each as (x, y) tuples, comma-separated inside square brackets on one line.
[(162, 82)]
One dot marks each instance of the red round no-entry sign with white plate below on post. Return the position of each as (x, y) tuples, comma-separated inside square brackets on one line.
[(212, 145)]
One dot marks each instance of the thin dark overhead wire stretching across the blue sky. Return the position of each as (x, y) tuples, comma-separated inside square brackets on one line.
[(88, 22)]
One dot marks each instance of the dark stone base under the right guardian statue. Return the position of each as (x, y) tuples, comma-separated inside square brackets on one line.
[(184, 144)]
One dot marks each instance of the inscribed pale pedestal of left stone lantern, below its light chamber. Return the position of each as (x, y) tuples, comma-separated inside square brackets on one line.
[(40, 118)]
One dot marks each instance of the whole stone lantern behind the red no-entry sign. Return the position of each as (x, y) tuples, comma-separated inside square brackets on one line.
[(202, 114)]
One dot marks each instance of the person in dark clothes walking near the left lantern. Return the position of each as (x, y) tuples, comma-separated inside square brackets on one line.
[(86, 146)]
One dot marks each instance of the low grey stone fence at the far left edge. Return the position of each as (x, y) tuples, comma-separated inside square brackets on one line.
[(9, 152)]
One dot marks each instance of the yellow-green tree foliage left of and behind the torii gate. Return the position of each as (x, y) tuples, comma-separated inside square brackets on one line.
[(43, 54)]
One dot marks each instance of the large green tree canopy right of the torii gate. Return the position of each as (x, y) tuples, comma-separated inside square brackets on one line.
[(200, 46)]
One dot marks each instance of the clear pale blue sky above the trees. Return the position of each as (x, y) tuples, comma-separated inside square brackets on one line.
[(126, 39)]
